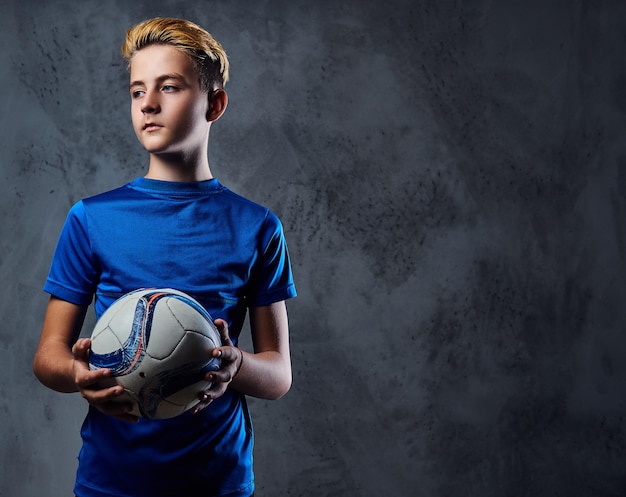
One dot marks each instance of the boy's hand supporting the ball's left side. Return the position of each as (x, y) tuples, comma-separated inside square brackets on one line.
[(102, 398)]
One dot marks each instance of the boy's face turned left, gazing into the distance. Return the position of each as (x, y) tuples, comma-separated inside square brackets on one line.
[(169, 109)]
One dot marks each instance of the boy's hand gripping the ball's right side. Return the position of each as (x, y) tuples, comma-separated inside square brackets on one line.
[(232, 359)]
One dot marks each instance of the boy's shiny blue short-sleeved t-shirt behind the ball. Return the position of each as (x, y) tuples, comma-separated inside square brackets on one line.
[(200, 238)]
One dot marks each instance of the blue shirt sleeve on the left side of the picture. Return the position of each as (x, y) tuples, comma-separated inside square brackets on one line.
[(73, 273)]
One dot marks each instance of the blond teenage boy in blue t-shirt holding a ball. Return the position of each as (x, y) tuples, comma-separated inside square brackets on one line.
[(175, 227)]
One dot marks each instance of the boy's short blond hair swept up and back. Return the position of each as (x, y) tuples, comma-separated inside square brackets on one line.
[(206, 52)]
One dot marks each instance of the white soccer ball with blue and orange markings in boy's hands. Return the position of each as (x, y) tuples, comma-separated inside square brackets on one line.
[(158, 344)]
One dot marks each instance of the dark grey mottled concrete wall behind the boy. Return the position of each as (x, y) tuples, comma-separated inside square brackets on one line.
[(451, 177)]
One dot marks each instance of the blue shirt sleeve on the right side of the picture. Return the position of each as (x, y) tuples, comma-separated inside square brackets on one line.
[(271, 276)]
